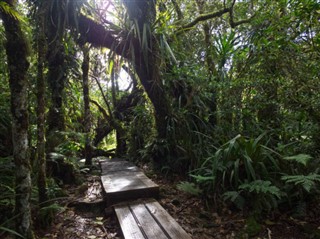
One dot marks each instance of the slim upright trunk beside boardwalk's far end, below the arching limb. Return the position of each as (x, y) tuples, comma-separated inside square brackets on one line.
[(86, 101)]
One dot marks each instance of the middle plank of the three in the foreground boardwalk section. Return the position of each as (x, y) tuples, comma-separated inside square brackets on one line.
[(148, 224)]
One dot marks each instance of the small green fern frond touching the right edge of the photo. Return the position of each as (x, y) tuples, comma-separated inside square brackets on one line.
[(306, 181)]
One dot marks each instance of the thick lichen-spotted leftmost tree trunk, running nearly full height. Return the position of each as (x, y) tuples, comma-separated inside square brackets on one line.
[(17, 51)]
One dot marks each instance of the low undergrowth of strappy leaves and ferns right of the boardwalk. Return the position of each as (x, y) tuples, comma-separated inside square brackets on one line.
[(248, 174)]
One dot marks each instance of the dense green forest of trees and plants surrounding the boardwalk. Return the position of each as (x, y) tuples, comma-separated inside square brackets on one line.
[(223, 93)]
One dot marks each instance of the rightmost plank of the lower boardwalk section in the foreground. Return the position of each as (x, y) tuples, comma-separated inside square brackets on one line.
[(163, 217)]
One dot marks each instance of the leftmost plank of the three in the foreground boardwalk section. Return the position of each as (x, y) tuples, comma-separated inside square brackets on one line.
[(129, 226)]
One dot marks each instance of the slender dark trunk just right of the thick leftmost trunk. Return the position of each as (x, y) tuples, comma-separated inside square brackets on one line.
[(41, 90)]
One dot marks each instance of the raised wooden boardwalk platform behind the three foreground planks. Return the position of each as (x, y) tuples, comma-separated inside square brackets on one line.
[(122, 181)]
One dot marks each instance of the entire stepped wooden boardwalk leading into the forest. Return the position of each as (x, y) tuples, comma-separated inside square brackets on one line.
[(133, 197)]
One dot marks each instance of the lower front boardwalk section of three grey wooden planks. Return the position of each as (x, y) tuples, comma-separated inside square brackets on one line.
[(147, 219)]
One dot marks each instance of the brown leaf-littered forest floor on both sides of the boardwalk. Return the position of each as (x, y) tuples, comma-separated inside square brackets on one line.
[(83, 216)]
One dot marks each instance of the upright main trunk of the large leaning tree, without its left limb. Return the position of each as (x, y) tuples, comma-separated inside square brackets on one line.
[(147, 64)]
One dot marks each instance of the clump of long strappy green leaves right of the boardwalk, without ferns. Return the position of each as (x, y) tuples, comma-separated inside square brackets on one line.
[(235, 162)]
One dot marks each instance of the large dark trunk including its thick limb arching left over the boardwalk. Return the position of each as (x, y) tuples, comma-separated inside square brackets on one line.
[(145, 61)]
